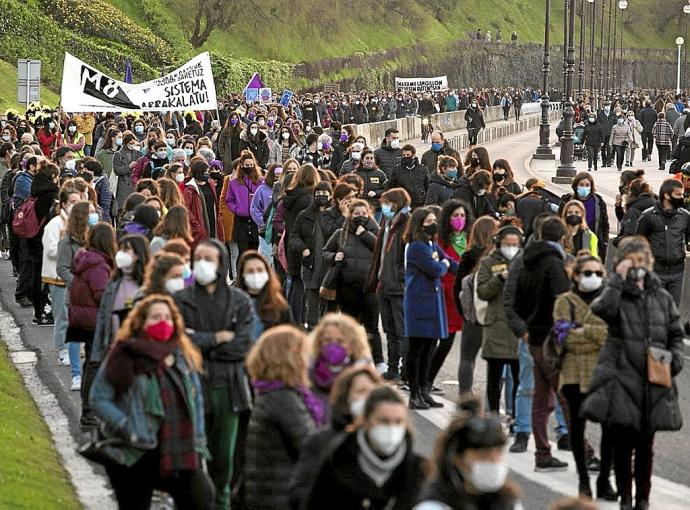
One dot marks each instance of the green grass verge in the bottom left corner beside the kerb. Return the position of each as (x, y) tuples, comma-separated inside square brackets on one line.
[(31, 476)]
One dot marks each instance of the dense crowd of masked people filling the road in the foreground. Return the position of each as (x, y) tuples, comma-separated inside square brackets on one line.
[(226, 278)]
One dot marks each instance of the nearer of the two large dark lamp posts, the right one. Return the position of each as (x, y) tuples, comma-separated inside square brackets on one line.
[(566, 170)]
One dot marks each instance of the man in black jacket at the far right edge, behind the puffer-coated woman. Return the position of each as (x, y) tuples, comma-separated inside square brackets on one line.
[(667, 228)]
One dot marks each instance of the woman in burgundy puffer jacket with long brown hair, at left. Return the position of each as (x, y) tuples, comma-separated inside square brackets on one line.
[(91, 269)]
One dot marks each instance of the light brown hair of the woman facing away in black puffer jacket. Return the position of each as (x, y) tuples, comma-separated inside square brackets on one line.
[(280, 354)]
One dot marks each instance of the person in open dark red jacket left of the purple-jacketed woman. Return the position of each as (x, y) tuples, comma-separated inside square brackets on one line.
[(202, 203)]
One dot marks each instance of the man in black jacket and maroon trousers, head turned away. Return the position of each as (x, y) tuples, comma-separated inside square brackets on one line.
[(541, 279)]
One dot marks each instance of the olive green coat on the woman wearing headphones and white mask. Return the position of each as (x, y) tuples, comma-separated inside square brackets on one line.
[(498, 341)]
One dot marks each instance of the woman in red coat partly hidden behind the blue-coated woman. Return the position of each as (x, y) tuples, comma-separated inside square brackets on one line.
[(453, 234)]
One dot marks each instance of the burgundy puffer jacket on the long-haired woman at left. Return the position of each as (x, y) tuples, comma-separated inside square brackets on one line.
[(91, 269)]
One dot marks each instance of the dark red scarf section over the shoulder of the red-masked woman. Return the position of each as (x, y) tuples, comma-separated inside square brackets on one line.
[(133, 357)]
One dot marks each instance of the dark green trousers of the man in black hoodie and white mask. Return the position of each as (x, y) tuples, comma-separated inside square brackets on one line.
[(222, 424)]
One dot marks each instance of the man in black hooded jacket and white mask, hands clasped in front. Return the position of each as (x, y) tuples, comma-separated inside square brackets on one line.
[(220, 319)]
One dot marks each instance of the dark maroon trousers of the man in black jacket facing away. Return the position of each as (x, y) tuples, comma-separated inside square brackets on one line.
[(543, 401)]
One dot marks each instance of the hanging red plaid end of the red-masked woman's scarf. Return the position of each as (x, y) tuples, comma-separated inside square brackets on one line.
[(176, 433)]
